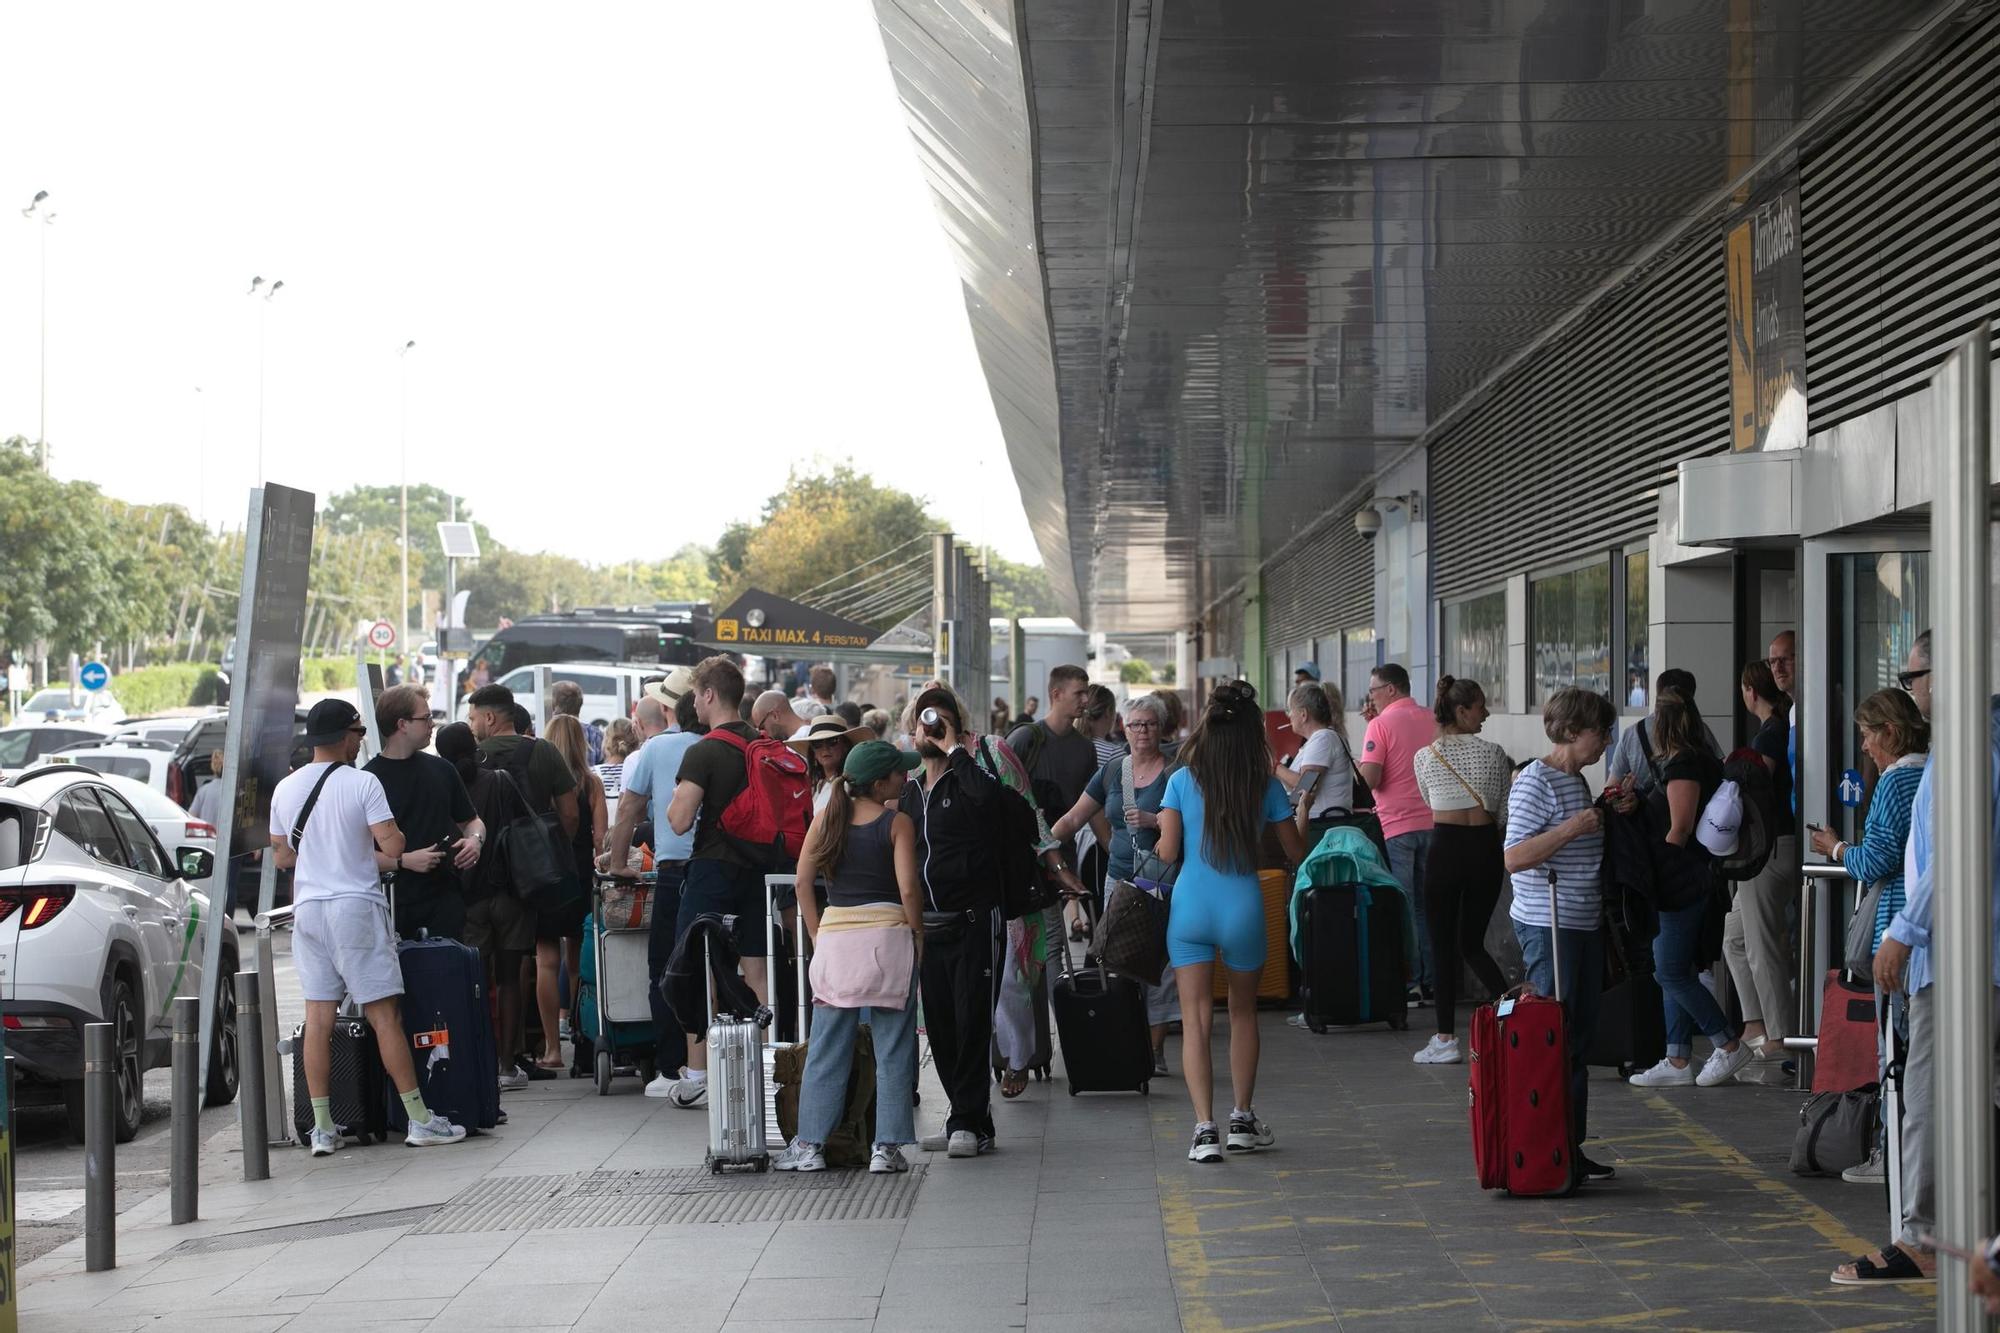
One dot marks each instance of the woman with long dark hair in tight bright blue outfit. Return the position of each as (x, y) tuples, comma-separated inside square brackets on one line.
[(1213, 822)]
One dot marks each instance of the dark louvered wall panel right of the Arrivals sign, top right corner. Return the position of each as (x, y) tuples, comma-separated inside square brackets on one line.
[(1901, 225)]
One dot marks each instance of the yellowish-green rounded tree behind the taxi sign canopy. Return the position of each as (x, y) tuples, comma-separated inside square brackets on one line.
[(821, 527)]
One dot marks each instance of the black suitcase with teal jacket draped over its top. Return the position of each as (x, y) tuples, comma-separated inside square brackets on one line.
[(1351, 958)]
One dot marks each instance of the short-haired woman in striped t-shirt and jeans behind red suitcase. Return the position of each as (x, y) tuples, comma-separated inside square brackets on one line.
[(1555, 850)]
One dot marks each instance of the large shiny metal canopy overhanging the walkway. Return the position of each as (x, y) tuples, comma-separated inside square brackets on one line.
[(1227, 257)]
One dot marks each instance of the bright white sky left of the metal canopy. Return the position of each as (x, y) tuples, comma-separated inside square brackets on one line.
[(651, 257)]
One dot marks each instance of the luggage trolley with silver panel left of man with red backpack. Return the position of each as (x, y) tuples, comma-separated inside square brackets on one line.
[(617, 980)]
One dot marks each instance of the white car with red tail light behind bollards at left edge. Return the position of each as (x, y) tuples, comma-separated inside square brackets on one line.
[(101, 922)]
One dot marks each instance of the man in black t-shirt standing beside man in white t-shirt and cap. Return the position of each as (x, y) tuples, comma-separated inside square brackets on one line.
[(443, 834)]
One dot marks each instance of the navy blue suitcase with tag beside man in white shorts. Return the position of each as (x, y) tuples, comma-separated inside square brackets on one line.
[(451, 1034)]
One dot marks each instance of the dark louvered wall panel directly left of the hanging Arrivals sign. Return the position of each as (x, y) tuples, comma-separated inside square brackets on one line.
[(1569, 455)]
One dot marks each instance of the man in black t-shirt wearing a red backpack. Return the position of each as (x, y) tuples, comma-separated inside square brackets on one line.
[(721, 880)]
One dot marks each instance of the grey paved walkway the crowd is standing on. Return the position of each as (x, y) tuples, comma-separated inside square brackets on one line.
[(587, 1214)]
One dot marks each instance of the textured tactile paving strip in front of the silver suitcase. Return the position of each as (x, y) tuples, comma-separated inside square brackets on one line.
[(673, 1196)]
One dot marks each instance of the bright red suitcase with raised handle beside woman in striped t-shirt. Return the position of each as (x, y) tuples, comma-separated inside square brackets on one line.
[(1523, 1128)]
